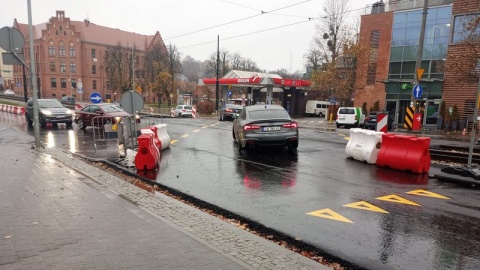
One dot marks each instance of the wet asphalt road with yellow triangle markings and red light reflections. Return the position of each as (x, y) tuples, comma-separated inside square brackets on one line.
[(372, 217)]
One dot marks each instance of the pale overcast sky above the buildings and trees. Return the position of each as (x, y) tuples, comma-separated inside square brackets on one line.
[(193, 25)]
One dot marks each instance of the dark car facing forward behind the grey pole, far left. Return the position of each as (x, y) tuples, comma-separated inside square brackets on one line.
[(49, 111)]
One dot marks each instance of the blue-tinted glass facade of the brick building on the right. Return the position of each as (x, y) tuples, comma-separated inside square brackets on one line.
[(403, 56)]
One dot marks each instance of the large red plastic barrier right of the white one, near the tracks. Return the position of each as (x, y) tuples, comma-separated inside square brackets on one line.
[(406, 153)]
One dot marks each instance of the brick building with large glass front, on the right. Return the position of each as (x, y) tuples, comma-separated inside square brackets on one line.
[(392, 31)]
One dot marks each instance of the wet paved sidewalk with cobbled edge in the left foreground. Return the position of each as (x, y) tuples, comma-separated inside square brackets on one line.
[(58, 212)]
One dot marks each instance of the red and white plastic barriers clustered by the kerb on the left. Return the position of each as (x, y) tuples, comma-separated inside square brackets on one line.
[(152, 140)]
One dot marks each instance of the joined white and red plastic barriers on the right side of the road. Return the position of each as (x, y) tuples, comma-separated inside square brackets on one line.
[(401, 152)]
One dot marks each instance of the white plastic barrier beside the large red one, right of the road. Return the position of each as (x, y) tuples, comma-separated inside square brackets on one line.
[(364, 145)]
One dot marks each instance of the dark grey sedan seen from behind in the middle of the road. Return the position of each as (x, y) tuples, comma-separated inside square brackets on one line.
[(265, 125)]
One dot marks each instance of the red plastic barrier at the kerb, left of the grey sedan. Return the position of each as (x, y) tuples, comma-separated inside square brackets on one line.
[(148, 155)]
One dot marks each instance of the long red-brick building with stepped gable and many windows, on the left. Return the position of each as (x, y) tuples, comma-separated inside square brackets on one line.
[(70, 58)]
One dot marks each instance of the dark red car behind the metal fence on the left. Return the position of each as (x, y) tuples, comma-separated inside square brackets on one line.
[(106, 113)]
